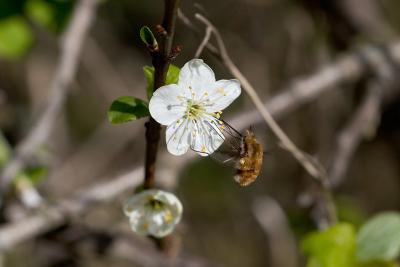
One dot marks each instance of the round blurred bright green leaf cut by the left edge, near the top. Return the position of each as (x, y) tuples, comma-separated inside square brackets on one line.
[(15, 37)]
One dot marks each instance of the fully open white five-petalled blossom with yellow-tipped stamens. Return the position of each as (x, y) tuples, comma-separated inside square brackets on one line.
[(191, 109)]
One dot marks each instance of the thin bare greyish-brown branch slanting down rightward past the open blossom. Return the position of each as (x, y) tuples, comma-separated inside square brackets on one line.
[(304, 160)]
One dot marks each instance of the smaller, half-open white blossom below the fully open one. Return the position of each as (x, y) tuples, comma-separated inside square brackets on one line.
[(153, 212)]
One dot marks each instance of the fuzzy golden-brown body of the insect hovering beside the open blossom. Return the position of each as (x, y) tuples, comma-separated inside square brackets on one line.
[(250, 160)]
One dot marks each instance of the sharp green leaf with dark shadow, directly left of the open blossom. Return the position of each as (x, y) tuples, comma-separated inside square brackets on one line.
[(127, 108)]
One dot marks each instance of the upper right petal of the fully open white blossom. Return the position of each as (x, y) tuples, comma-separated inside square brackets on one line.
[(222, 94)]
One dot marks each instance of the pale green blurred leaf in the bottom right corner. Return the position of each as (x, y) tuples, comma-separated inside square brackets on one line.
[(379, 238)]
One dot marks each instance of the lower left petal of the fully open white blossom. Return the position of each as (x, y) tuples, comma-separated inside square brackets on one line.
[(178, 137)]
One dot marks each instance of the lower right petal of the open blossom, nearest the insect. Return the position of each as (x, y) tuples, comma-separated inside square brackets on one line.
[(207, 137)]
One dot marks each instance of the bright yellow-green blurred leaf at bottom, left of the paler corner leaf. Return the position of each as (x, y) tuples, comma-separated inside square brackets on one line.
[(333, 247)]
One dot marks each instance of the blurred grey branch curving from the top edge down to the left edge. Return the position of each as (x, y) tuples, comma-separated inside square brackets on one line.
[(71, 46)]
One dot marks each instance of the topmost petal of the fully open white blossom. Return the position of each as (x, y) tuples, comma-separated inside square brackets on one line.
[(195, 77)]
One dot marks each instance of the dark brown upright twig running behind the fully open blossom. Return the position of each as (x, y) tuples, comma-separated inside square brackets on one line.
[(161, 60)]
